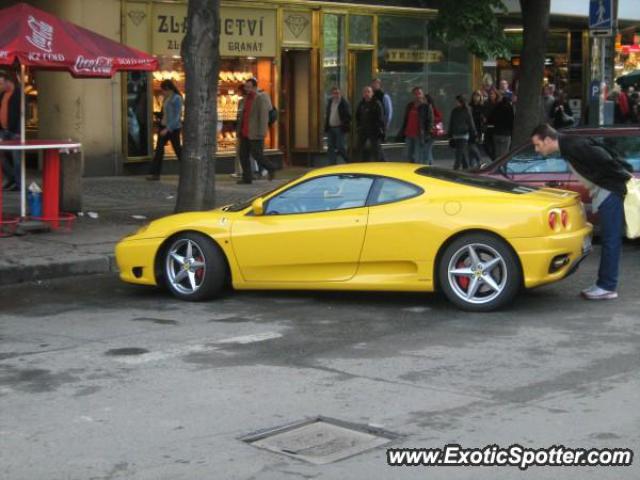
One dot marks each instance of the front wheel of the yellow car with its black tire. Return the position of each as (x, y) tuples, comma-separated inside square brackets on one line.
[(209, 279)]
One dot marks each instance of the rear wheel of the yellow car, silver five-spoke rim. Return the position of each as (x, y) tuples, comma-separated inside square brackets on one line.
[(479, 272)]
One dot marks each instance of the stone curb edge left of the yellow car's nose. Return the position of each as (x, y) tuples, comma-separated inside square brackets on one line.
[(45, 269)]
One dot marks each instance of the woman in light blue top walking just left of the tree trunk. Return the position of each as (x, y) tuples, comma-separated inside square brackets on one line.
[(170, 127)]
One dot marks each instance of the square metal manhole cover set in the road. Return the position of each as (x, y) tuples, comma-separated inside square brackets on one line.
[(320, 440)]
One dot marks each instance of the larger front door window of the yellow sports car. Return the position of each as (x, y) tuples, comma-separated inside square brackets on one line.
[(335, 192)]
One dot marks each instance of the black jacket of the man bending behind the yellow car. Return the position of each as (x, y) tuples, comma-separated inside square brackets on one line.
[(596, 163)]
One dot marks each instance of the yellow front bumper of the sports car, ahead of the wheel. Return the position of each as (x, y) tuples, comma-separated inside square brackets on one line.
[(136, 260)]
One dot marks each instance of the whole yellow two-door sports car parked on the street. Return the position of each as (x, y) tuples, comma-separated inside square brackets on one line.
[(375, 226)]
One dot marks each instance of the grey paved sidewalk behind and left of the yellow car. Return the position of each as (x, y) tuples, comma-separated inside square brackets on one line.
[(113, 207)]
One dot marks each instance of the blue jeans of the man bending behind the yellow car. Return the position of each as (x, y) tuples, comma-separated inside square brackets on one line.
[(611, 229)]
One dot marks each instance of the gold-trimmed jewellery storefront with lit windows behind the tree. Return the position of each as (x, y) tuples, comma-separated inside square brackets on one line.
[(297, 50)]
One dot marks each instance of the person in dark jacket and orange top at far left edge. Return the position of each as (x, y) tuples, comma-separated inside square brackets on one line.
[(10, 130)]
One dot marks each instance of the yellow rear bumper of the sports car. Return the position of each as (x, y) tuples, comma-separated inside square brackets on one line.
[(537, 254)]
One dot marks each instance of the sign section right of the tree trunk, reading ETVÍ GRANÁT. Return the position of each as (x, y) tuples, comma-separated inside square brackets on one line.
[(247, 32)]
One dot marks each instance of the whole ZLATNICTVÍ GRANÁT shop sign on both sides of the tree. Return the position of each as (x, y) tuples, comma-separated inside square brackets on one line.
[(243, 32)]
